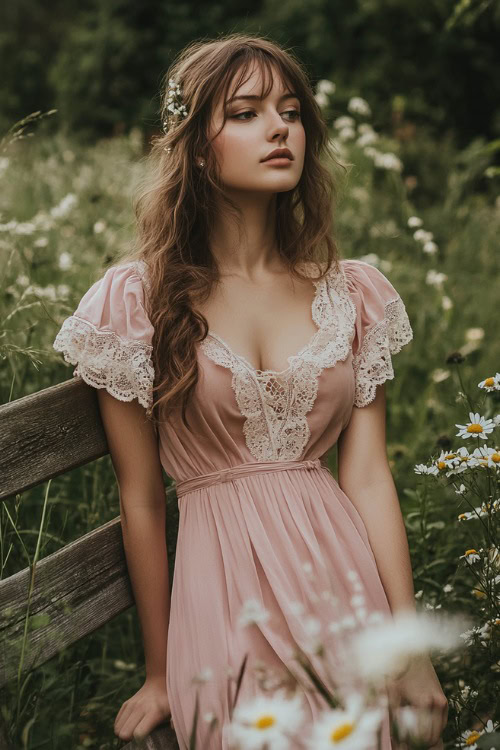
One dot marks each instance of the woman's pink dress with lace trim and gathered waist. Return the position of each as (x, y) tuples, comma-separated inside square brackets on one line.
[(261, 517)]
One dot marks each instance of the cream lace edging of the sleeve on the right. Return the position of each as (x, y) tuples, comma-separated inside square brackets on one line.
[(373, 363)]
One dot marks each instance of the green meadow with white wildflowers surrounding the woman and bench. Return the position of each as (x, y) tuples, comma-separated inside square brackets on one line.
[(427, 216)]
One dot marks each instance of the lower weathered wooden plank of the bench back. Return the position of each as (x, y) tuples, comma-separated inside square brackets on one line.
[(76, 590)]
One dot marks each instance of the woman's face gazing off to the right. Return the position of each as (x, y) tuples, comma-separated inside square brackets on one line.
[(253, 129)]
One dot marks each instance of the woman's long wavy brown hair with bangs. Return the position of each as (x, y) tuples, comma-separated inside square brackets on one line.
[(177, 201)]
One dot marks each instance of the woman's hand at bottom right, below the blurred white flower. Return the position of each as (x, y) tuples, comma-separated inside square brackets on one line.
[(419, 687)]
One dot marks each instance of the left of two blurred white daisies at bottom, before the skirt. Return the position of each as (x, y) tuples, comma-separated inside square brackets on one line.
[(265, 720)]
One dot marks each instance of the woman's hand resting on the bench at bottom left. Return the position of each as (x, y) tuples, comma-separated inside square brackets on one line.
[(141, 713)]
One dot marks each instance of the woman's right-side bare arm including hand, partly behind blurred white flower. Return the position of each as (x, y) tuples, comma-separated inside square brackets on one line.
[(366, 479)]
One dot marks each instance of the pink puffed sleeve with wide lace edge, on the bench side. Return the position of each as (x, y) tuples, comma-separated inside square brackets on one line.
[(109, 336)]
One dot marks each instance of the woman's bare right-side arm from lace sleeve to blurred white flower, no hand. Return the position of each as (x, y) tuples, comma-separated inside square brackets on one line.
[(365, 477)]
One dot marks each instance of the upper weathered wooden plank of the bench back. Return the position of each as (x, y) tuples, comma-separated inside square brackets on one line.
[(48, 433)]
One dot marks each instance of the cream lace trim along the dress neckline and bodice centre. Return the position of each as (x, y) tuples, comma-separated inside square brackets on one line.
[(275, 404)]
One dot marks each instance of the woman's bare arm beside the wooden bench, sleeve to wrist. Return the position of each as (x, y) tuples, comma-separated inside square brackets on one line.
[(134, 452)]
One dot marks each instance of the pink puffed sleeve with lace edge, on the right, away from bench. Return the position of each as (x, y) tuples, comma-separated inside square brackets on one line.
[(382, 327)]
